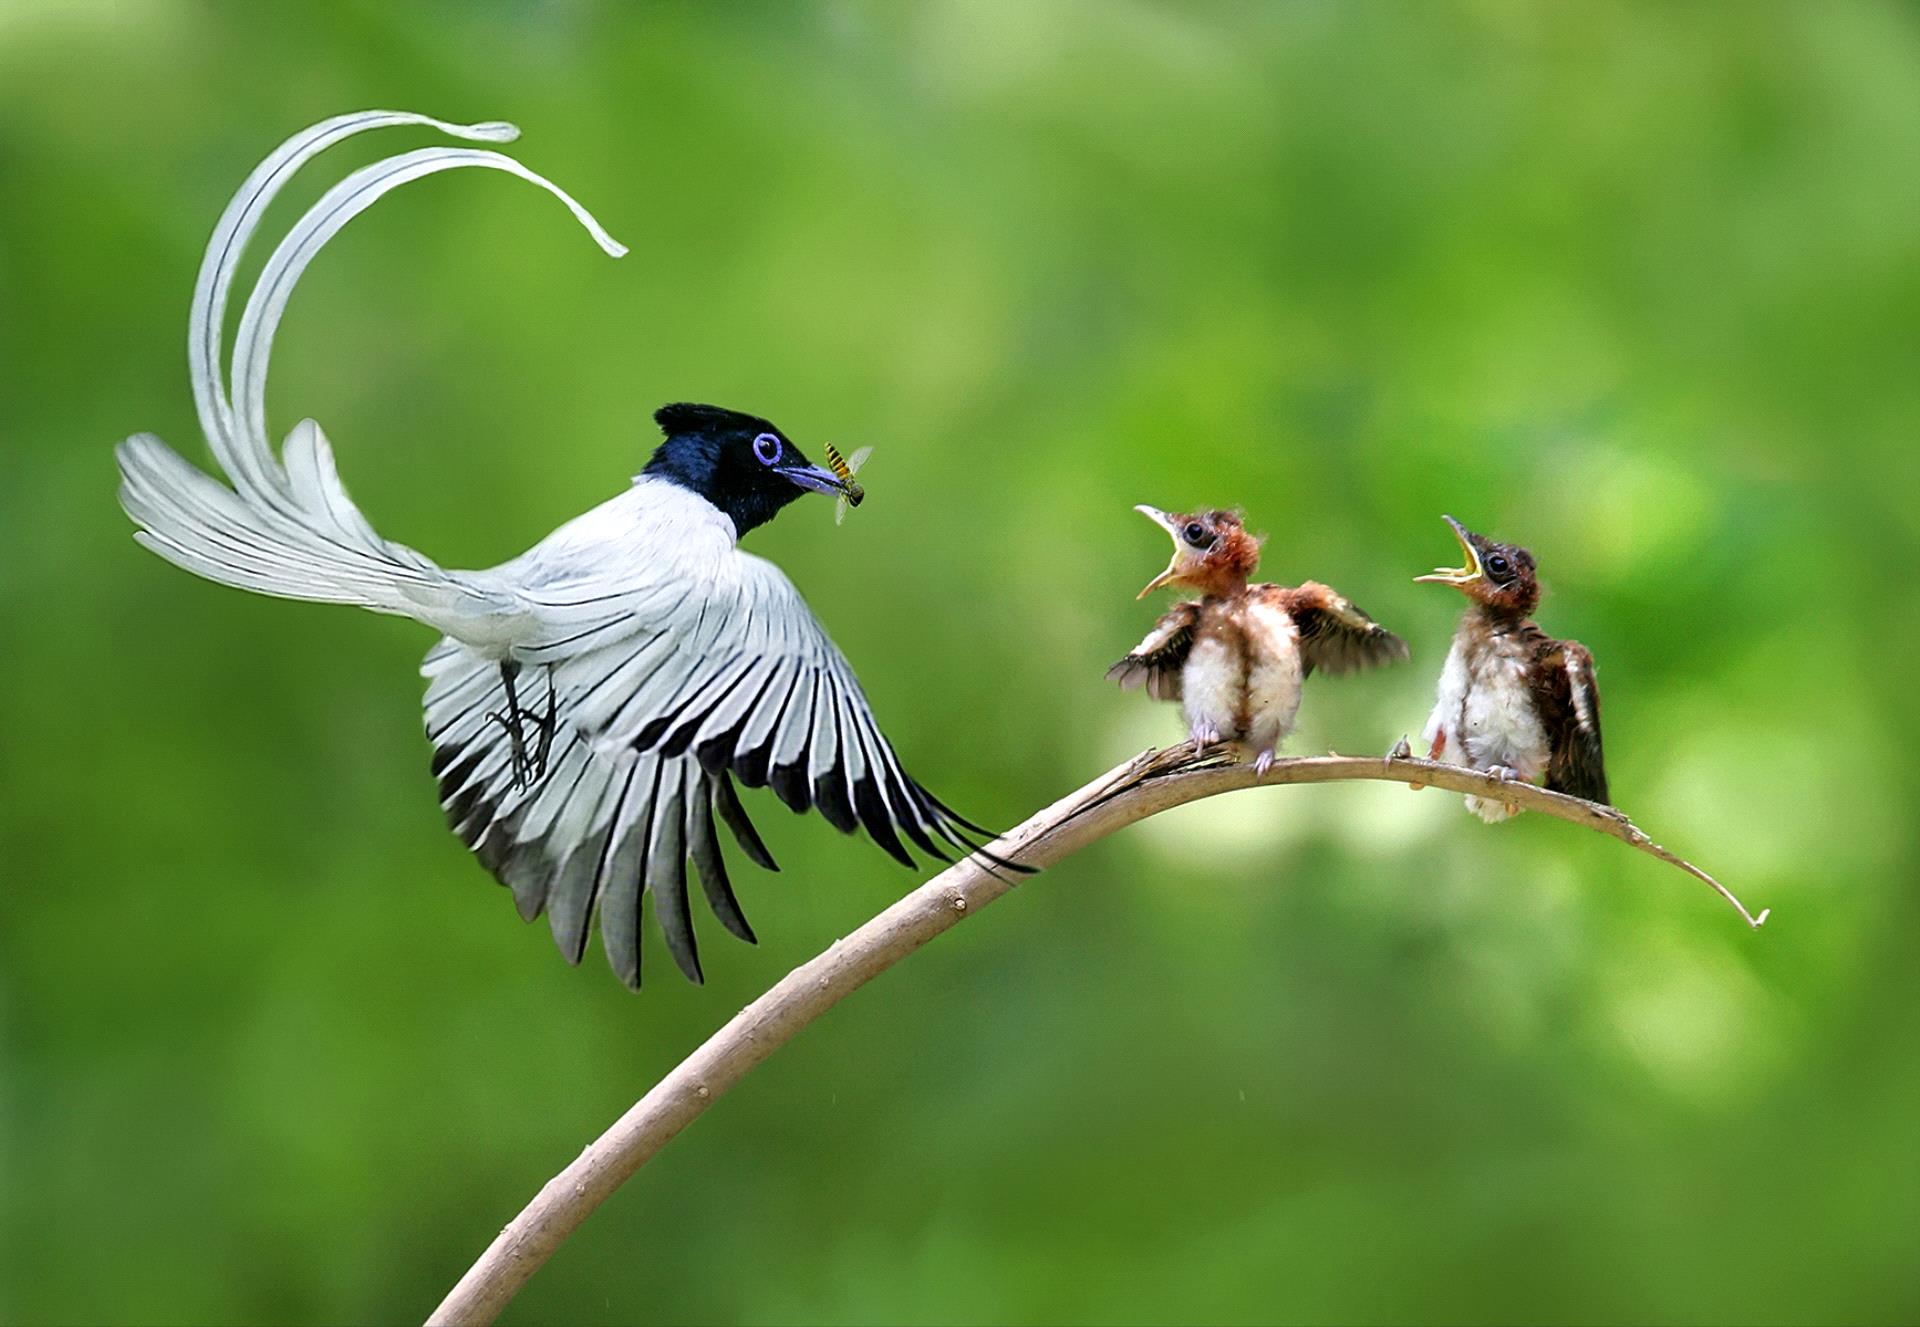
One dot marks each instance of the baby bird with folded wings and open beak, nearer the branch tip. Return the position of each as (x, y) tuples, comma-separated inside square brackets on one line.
[(1514, 702)]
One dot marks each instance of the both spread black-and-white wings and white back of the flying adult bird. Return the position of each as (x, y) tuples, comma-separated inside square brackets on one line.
[(711, 669)]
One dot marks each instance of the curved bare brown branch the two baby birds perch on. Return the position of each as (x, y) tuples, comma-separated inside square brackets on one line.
[(1145, 786)]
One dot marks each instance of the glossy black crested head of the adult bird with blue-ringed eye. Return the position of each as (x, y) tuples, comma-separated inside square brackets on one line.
[(740, 464)]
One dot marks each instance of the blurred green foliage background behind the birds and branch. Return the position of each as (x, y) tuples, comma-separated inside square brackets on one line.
[(1635, 285)]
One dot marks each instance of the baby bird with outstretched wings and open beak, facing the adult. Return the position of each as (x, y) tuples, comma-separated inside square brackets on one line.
[(1236, 658)]
